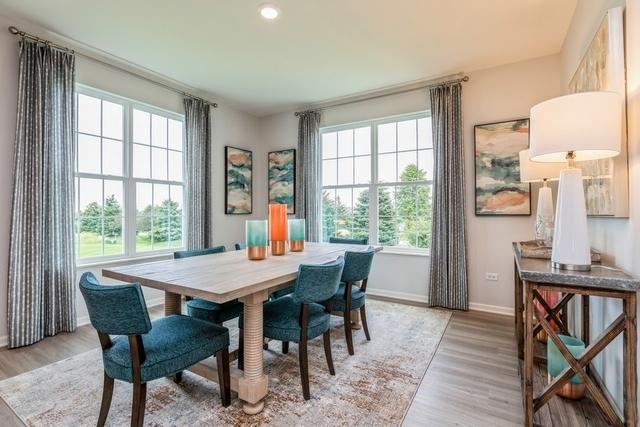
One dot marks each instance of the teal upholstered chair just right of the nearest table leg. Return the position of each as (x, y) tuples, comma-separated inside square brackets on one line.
[(305, 314)]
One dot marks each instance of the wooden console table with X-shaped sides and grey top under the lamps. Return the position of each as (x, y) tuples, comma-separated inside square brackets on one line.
[(534, 275)]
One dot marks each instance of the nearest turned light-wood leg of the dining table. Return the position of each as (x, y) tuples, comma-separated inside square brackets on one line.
[(253, 385)]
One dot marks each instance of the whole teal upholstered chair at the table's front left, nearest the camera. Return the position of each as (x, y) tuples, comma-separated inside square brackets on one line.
[(143, 350)]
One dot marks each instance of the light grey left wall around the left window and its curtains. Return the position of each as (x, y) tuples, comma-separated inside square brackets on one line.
[(229, 127)]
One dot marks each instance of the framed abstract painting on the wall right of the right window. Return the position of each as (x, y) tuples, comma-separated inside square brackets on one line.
[(497, 168)]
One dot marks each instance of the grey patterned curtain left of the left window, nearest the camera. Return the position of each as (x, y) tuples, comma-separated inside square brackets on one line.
[(41, 294)]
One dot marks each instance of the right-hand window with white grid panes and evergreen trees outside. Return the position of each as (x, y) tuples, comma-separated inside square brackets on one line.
[(377, 180)]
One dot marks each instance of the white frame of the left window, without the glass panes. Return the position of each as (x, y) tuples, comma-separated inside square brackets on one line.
[(127, 178)]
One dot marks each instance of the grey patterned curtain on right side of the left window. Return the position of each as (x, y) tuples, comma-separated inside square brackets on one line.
[(197, 174)]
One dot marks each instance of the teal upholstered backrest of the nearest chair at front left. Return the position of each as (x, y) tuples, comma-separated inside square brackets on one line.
[(115, 309)]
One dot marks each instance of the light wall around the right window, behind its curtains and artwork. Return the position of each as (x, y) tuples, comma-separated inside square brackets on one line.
[(494, 94)]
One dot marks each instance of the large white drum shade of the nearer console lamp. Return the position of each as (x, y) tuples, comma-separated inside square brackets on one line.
[(587, 123)]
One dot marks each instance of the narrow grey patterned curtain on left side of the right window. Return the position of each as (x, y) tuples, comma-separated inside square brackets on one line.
[(308, 189)]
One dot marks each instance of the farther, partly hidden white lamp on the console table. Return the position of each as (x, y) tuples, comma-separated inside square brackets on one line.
[(541, 172)]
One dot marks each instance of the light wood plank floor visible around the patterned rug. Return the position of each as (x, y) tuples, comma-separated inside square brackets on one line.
[(472, 379)]
